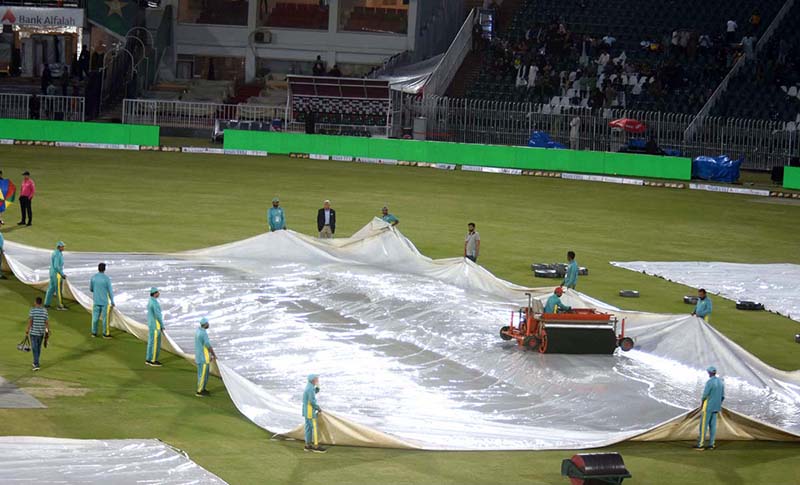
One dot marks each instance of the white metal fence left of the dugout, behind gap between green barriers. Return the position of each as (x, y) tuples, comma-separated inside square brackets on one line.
[(182, 114)]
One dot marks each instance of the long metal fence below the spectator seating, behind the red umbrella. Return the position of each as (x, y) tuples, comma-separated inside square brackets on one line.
[(762, 144)]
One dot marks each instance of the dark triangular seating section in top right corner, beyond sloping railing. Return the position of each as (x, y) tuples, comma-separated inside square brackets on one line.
[(768, 85)]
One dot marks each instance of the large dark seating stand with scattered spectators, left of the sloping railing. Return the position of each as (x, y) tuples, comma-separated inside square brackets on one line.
[(661, 55)]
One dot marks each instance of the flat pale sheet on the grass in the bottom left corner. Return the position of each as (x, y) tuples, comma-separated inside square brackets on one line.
[(28, 459)]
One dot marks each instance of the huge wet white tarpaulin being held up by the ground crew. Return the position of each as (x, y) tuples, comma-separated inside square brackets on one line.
[(408, 347)]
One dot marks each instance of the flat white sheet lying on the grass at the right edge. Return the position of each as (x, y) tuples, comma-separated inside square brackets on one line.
[(776, 286)]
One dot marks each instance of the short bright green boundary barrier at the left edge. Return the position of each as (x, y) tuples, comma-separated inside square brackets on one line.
[(79, 132)]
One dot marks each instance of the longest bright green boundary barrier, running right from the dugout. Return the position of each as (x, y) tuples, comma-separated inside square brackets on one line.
[(628, 164)]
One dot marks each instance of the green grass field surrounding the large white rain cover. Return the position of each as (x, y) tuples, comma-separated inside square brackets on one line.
[(128, 201)]
